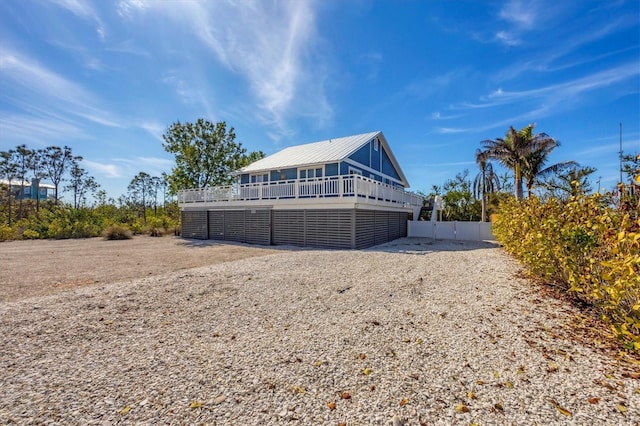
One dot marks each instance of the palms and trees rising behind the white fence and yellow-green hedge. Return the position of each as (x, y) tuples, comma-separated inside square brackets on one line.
[(525, 155)]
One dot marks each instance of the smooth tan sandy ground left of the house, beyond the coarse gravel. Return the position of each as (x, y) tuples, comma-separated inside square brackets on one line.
[(42, 267)]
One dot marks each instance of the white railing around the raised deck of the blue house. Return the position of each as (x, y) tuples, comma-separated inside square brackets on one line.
[(354, 186)]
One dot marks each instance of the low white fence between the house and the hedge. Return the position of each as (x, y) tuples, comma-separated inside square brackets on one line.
[(468, 231)]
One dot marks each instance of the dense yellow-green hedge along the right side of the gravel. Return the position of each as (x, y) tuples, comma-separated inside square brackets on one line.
[(584, 245)]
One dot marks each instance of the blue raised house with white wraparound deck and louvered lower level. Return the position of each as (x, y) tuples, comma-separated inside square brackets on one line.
[(348, 192)]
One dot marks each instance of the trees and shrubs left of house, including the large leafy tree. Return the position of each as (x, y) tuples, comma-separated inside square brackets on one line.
[(206, 154)]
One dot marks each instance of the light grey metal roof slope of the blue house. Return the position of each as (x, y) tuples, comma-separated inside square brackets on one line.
[(328, 151)]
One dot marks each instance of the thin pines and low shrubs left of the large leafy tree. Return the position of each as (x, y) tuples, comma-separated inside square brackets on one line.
[(22, 218)]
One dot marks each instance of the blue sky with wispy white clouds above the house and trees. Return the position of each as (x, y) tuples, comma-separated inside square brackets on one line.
[(437, 77)]
